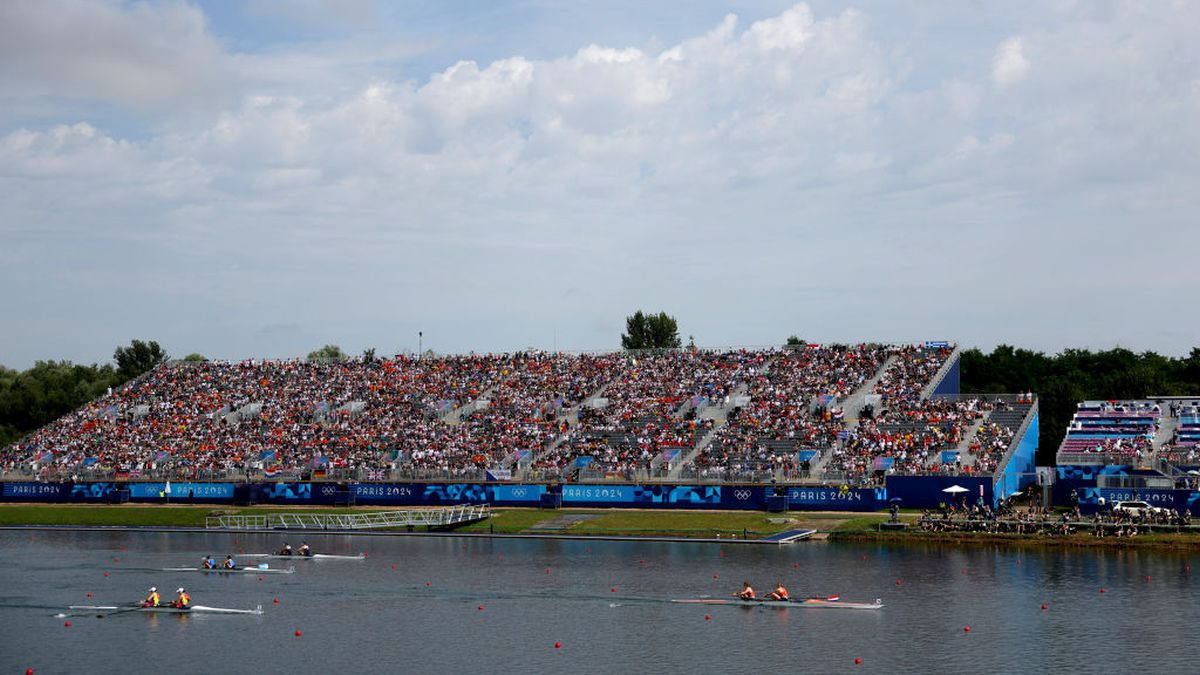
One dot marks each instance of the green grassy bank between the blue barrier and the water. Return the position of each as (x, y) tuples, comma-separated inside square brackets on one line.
[(616, 525)]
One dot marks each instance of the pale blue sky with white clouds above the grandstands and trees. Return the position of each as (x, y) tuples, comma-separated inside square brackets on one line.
[(259, 180)]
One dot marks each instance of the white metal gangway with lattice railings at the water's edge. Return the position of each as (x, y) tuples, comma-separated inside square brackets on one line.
[(446, 517)]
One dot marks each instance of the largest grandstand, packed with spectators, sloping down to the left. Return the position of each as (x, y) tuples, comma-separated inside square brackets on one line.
[(847, 414)]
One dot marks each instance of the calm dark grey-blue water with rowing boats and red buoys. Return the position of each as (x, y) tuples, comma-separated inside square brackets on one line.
[(371, 618)]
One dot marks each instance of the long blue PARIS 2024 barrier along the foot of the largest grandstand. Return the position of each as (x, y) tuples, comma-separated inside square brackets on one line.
[(753, 498)]
